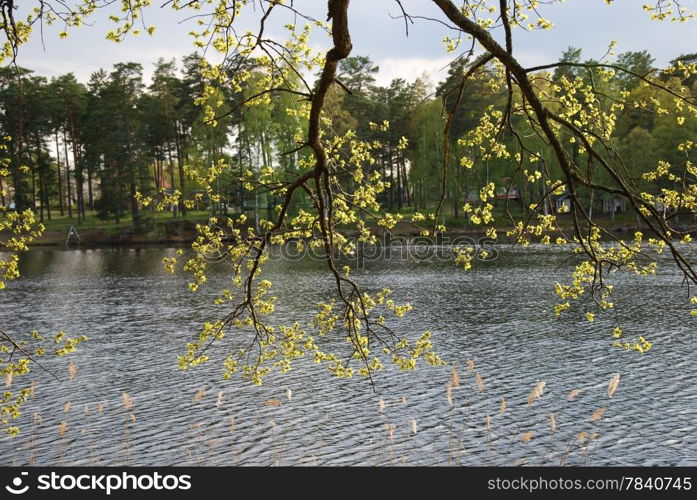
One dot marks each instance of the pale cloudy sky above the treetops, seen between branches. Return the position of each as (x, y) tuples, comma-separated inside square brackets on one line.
[(379, 33)]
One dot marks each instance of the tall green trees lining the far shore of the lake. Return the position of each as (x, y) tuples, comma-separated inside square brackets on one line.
[(81, 146)]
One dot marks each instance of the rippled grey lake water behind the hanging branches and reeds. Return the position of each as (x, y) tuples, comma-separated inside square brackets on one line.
[(138, 319)]
